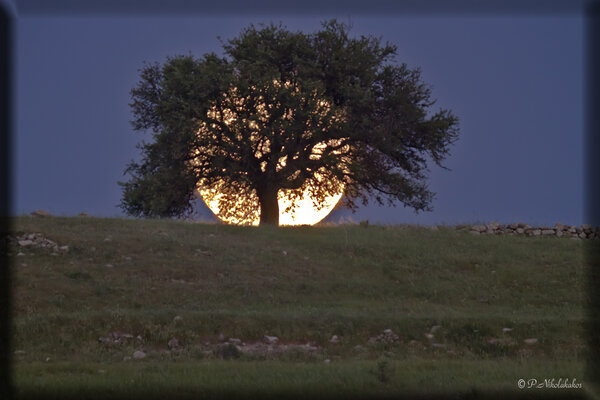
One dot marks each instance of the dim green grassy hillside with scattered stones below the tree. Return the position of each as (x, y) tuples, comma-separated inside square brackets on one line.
[(465, 310)]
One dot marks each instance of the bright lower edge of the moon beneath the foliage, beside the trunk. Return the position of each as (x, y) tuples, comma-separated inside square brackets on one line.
[(303, 212)]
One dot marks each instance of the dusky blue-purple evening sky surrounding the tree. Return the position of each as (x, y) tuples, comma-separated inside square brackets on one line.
[(515, 81)]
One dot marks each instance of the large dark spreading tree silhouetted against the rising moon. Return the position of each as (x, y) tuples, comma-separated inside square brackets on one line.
[(285, 111)]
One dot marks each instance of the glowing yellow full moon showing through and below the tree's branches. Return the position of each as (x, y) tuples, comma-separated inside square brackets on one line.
[(296, 207)]
